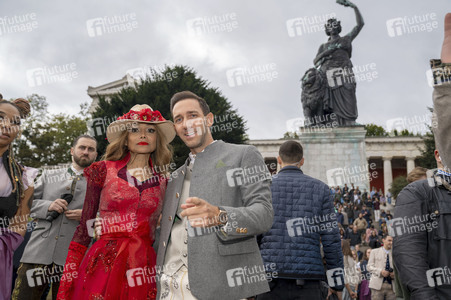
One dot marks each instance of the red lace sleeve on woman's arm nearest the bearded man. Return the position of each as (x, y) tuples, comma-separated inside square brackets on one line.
[(95, 177)]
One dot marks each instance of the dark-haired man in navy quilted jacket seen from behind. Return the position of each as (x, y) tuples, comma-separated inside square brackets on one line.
[(304, 224)]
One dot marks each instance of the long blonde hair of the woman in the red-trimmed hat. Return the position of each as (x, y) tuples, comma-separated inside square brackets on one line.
[(161, 157)]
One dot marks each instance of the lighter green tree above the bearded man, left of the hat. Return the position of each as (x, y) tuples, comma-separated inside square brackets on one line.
[(46, 138)]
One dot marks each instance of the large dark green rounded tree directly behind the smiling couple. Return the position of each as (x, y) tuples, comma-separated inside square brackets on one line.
[(156, 90)]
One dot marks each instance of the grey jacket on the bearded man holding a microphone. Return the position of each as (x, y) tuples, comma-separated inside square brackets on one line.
[(51, 246)]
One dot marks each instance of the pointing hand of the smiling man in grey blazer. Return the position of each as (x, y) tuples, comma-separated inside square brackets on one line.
[(200, 213)]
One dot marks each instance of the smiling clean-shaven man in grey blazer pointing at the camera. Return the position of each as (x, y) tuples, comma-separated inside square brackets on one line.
[(215, 206)]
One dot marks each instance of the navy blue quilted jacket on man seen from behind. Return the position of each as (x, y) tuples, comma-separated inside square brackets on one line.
[(303, 214)]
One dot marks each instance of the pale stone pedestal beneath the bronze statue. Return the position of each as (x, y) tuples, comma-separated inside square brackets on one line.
[(336, 155)]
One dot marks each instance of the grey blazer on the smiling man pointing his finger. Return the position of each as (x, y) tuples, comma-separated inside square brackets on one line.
[(224, 264)]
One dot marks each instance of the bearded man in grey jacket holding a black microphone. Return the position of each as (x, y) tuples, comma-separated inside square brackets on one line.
[(44, 256)]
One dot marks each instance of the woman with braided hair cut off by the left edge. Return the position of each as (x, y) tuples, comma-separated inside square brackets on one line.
[(16, 189)]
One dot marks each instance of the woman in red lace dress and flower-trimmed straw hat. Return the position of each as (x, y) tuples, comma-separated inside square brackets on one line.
[(127, 189)]
